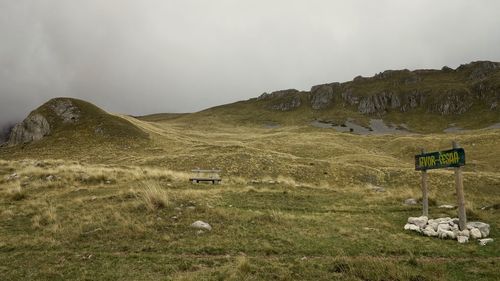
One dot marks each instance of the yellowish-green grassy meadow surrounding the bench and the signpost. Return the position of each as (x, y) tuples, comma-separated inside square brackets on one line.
[(296, 203)]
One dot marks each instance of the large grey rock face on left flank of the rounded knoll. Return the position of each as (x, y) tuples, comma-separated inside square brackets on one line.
[(33, 128)]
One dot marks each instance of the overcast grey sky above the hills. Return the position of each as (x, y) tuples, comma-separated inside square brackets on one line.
[(146, 56)]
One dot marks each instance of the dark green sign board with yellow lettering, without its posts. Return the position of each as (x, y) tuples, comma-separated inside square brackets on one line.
[(441, 159)]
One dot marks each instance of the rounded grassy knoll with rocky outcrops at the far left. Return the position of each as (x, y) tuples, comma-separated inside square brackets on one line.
[(69, 125)]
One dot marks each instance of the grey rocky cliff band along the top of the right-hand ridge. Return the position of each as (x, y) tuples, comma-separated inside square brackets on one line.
[(444, 92)]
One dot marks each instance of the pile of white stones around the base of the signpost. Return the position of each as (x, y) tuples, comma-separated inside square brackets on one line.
[(447, 228)]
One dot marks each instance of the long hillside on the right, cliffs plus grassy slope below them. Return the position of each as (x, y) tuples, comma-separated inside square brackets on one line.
[(420, 101)]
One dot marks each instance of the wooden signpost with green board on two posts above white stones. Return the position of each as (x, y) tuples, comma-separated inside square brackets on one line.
[(443, 159)]
